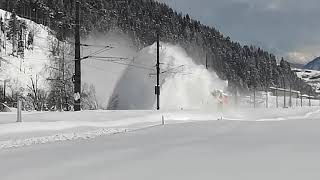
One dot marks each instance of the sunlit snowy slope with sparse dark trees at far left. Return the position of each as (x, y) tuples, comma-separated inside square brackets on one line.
[(20, 71)]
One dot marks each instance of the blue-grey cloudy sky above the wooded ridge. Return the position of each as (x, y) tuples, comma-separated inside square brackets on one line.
[(288, 28)]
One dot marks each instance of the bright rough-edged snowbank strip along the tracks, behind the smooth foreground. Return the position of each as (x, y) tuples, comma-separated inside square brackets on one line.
[(48, 127)]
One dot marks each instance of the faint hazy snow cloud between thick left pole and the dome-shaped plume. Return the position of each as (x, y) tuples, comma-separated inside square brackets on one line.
[(104, 72)]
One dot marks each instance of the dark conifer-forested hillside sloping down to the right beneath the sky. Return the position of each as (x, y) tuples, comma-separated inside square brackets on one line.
[(246, 67)]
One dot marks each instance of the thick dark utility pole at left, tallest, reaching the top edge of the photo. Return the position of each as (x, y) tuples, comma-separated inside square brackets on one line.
[(77, 75)]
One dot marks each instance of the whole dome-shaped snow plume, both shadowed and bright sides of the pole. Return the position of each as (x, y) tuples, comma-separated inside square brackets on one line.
[(184, 85)]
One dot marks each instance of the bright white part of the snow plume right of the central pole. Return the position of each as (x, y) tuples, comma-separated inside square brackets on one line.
[(190, 85)]
